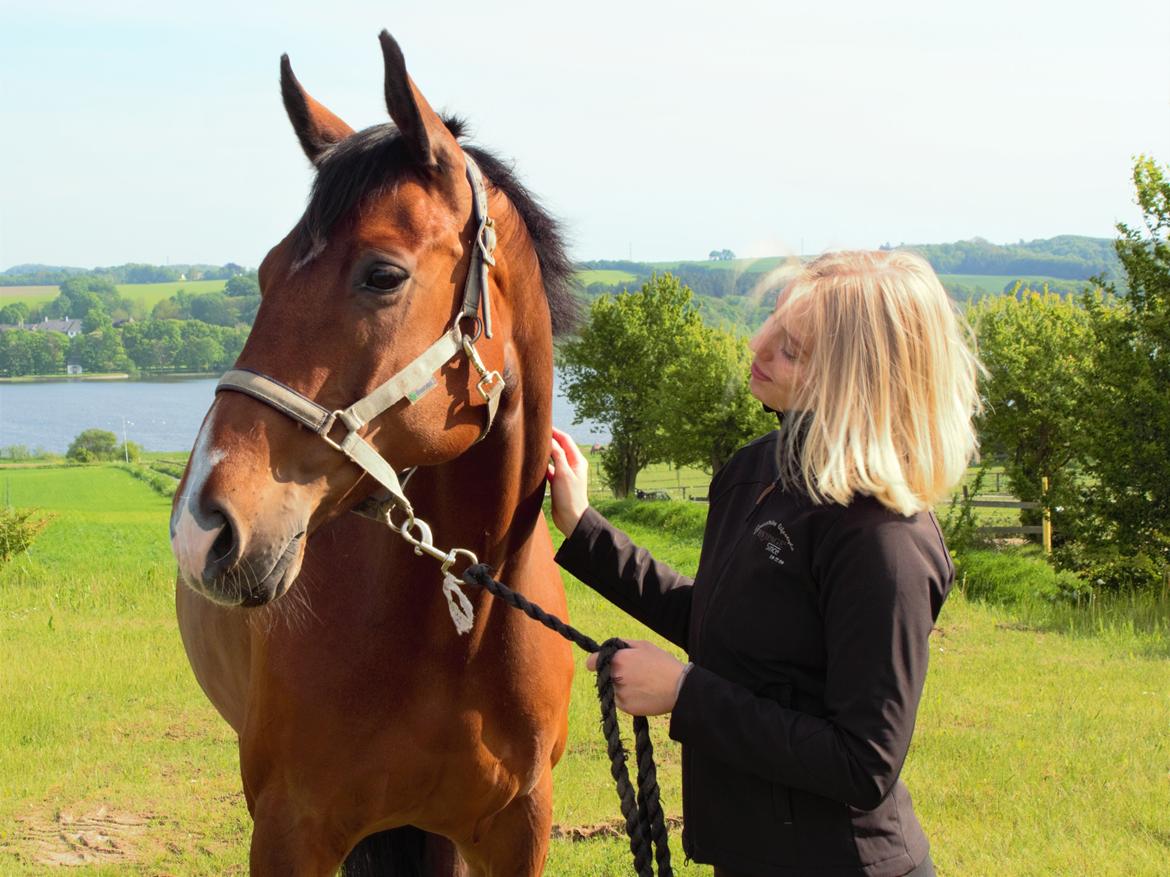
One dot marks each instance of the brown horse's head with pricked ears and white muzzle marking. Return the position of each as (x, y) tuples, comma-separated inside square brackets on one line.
[(370, 286)]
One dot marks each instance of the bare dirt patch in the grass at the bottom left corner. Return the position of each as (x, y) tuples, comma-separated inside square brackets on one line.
[(72, 838)]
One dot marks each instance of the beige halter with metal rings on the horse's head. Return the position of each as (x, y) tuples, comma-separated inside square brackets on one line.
[(412, 383)]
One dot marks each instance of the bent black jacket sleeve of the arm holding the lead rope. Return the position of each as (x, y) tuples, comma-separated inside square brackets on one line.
[(879, 586)]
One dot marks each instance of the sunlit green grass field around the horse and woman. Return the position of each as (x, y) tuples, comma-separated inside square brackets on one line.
[(1038, 752)]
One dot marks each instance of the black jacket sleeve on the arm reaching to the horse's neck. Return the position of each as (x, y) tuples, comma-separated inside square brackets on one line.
[(604, 558)]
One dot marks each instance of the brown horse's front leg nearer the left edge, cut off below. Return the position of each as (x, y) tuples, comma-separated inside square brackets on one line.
[(290, 843)]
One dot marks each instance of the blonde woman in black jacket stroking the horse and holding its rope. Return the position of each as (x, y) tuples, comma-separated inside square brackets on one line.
[(823, 571)]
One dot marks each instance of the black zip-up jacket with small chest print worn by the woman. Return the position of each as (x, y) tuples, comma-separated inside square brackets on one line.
[(808, 626)]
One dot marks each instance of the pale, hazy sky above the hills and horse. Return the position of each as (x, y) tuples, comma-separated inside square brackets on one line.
[(153, 132)]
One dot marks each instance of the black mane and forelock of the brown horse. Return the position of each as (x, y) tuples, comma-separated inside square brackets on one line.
[(371, 160)]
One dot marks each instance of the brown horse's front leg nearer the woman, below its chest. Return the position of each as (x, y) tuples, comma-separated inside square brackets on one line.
[(517, 844)]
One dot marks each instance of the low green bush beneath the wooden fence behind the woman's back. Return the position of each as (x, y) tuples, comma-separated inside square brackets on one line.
[(1017, 577)]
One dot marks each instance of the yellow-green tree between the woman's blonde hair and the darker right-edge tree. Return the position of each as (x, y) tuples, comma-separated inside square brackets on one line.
[(1040, 354)]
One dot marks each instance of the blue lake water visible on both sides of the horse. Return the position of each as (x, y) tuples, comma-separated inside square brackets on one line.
[(162, 415)]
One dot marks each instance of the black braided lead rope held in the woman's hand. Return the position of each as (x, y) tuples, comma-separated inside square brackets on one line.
[(643, 811)]
